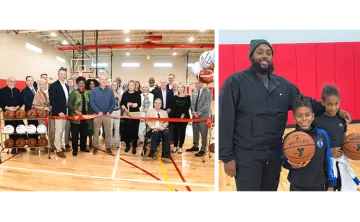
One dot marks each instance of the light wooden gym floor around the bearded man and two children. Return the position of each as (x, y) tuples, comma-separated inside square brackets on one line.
[(227, 184)]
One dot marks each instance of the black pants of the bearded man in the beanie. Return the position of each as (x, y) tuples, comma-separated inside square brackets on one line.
[(258, 170)]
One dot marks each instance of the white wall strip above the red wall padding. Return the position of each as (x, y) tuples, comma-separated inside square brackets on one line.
[(287, 33)]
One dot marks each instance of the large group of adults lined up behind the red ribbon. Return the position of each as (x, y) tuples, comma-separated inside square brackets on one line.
[(78, 96)]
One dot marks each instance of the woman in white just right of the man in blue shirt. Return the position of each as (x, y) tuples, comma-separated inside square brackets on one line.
[(115, 122)]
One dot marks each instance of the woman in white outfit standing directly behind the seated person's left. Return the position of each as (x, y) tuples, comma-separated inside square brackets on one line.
[(147, 102)]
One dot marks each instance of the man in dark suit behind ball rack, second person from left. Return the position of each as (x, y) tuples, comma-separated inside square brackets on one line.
[(27, 96)]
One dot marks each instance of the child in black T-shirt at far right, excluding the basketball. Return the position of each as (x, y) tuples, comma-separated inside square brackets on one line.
[(346, 180)]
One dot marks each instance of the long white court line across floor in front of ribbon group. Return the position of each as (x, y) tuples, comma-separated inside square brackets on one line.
[(107, 178)]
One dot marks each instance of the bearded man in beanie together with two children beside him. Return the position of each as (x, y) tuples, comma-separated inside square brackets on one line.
[(252, 114)]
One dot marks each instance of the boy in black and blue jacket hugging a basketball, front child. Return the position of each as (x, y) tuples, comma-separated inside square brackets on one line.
[(316, 174)]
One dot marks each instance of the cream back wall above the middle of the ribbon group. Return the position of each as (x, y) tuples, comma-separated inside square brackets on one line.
[(147, 70)]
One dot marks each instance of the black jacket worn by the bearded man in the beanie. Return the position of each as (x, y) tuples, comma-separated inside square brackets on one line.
[(251, 116)]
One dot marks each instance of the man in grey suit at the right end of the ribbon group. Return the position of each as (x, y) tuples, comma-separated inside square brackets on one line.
[(201, 108)]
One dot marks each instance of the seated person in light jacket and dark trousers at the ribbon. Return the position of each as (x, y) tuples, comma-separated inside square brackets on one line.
[(158, 130)]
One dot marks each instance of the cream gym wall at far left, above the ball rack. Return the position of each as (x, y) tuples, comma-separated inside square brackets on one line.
[(20, 62)]
